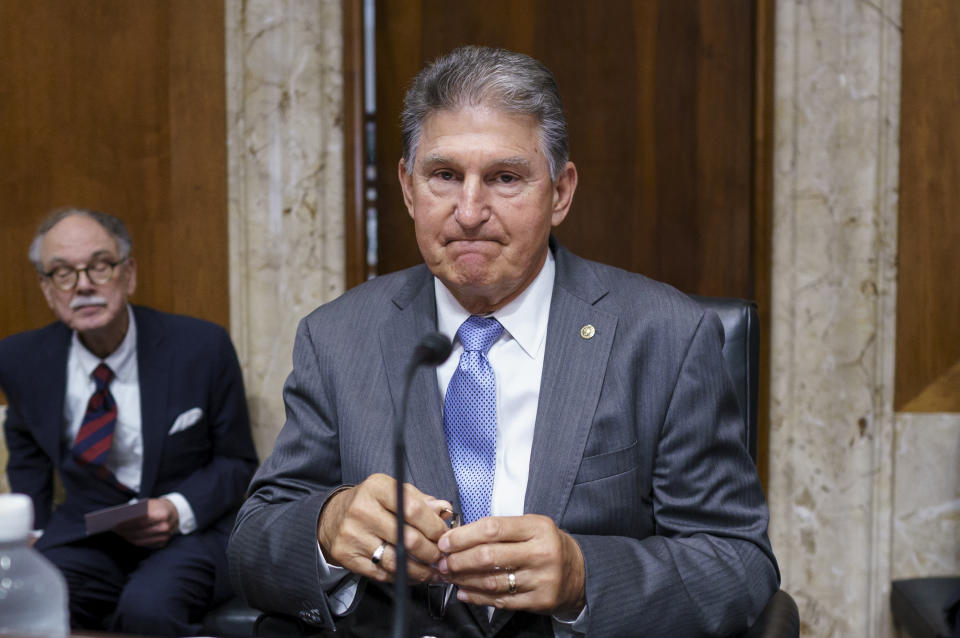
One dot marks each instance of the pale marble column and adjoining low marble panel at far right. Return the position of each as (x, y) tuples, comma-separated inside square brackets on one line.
[(858, 495)]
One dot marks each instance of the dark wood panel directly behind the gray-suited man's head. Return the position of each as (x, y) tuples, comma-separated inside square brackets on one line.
[(660, 101)]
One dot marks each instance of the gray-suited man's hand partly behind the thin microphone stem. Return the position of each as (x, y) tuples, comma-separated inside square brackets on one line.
[(356, 520)]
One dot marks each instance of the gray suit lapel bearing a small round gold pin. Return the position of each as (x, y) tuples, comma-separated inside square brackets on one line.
[(573, 369)]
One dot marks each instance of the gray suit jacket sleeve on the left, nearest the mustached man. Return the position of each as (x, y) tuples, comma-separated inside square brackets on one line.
[(273, 551)]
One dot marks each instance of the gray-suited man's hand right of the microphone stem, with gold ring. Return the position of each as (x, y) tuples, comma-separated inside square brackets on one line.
[(546, 563)]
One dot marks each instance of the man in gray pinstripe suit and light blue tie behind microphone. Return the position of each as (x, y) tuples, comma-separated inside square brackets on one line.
[(584, 425)]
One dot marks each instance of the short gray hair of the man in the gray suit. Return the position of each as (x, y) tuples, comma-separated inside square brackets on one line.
[(482, 76)]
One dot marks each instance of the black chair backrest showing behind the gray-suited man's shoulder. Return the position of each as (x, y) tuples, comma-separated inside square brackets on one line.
[(741, 350)]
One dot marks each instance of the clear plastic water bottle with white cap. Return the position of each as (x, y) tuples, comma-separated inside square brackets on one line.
[(33, 593)]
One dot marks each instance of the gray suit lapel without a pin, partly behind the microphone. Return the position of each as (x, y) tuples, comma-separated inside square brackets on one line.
[(428, 464)]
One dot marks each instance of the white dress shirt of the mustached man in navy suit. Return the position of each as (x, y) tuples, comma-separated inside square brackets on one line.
[(125, 458)]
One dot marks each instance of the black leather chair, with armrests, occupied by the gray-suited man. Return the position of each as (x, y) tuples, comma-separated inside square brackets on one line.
[(741, 349)]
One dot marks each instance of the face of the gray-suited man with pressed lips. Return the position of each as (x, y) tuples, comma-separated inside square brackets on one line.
[(483, 203)]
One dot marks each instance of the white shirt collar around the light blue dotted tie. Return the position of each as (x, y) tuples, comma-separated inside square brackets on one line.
[(524, 318)]
